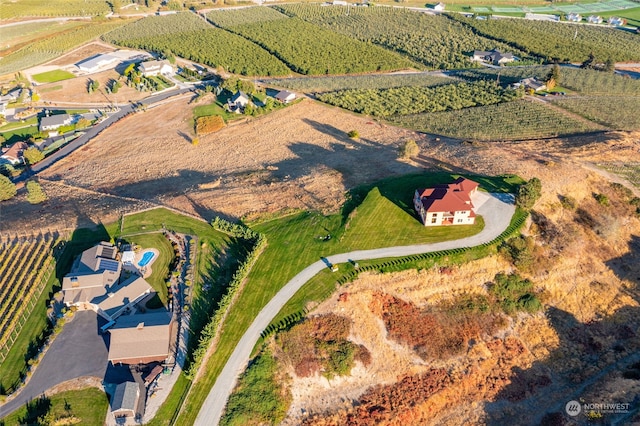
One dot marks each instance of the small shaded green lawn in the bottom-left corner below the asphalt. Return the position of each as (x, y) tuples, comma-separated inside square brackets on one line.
[(89, 406)]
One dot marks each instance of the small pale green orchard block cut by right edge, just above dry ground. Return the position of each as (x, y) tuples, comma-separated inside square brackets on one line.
[(615, 112)]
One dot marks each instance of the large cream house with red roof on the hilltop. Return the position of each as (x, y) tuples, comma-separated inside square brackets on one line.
[(446, 204)]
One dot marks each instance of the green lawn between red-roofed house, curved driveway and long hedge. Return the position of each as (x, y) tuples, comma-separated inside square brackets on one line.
[(294, 242)]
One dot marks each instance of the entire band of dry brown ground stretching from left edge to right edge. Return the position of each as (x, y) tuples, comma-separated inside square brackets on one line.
[(298, 157)]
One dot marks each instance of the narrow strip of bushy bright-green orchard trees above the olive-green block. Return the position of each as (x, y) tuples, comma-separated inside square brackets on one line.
[(414, 100)]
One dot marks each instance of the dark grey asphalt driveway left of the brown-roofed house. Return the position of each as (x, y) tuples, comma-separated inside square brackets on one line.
[(77, 351)]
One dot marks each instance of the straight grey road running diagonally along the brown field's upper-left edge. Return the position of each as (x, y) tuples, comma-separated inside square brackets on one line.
[(95, 130)]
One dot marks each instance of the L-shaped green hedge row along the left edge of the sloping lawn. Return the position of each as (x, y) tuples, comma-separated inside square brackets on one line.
[(211, 329)]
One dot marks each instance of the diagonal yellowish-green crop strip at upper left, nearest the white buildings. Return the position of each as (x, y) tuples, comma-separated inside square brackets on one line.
[(49, 48)]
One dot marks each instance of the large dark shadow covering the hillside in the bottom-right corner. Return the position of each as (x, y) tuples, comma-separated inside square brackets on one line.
[(588, 355)]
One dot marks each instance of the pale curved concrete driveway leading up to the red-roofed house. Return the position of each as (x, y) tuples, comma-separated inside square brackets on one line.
[(497, 210)]
